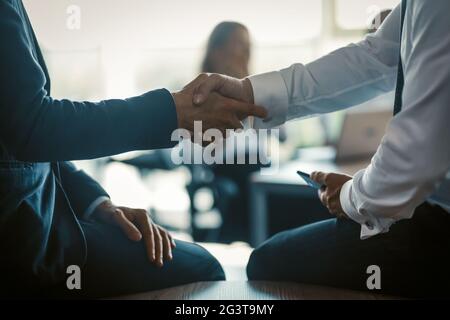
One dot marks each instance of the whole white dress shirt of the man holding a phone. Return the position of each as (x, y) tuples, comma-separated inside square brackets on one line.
[(414, 155)]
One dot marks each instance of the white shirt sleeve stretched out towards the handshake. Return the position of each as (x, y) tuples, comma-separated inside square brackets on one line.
[(341, 79)]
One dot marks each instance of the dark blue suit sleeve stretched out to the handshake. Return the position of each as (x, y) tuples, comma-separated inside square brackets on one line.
[(35, 127)]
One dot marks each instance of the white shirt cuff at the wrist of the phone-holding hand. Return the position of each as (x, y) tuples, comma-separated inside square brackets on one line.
[(369, 227)]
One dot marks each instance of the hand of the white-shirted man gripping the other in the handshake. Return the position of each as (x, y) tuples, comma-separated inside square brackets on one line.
[(238, 89)]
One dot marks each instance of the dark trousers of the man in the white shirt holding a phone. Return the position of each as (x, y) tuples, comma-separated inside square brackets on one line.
[(414, 256)]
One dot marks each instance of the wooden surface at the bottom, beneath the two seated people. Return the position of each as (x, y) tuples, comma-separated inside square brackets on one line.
[(249, 290)]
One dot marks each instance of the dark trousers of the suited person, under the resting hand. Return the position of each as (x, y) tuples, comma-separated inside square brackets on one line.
[(117, 266)]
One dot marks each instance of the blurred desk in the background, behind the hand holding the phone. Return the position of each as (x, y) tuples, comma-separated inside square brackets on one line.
[(286, 182)]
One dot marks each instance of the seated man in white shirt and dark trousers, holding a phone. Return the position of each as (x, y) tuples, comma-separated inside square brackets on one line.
[(383, 216)]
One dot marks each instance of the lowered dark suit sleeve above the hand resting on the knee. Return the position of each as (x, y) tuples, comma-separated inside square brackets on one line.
[(80, 188)]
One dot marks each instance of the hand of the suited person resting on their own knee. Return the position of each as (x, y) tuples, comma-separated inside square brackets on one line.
[(136, 224)]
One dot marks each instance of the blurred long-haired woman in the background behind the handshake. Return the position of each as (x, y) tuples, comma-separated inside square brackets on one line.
[(228, 52)]
